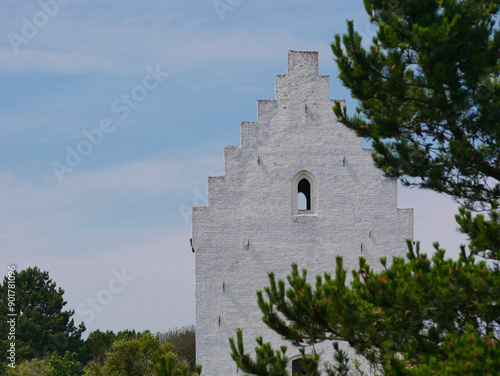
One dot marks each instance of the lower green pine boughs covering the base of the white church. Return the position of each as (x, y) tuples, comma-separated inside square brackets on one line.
[(417, 313)]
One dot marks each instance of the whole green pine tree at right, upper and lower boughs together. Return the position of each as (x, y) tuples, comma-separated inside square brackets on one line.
[(429, 100)]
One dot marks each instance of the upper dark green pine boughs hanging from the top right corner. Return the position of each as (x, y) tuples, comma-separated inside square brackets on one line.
[(429, 90)]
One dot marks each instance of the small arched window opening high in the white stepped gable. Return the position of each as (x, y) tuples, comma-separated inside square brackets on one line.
[(303, 193)]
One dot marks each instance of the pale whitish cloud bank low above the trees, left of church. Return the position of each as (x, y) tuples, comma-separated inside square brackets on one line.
[(149, 268)]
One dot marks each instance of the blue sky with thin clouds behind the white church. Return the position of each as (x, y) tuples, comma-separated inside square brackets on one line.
[(113, 227)]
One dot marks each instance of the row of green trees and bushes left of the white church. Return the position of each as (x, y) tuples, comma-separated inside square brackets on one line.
[(45, 331)]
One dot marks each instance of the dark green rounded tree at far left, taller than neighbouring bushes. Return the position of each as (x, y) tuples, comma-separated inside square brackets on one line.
[(42, 327)]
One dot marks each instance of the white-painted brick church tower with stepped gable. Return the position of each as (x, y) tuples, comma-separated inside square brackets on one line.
[(299, 189)]
